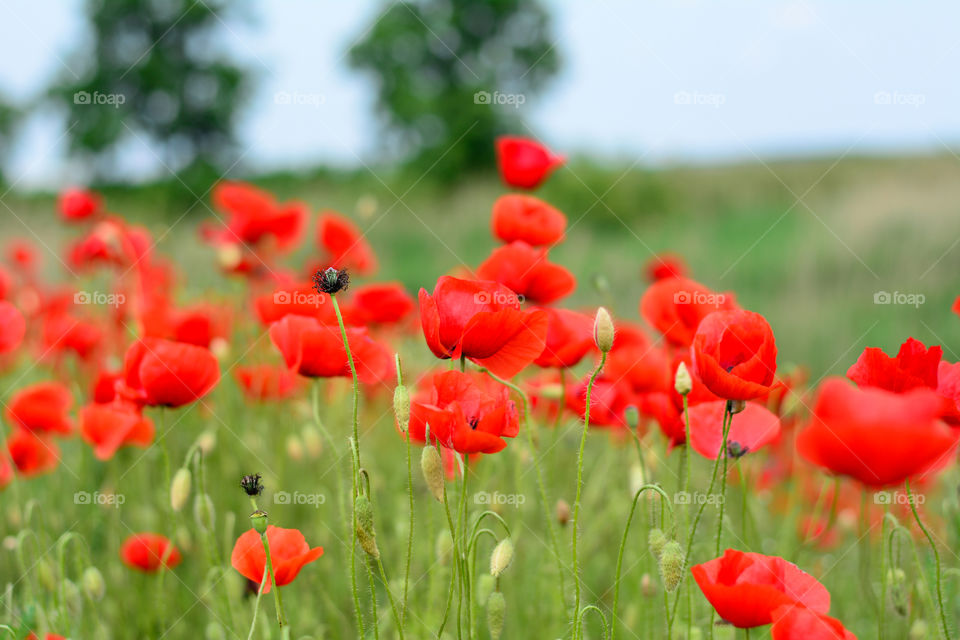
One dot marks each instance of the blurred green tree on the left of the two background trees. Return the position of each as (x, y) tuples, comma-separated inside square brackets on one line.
[(152, 75)]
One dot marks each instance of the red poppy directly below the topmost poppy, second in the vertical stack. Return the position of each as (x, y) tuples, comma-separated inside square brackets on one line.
[(525, 218)]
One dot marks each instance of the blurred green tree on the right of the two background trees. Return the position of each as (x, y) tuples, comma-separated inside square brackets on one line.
[(451, 74)]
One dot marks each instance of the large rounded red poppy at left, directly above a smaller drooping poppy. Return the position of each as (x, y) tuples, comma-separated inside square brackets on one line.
[(166, 373)]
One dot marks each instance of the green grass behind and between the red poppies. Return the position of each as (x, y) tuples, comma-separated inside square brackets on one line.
[(808, 244)]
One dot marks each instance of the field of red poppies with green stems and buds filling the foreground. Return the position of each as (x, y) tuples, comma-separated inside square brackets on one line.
[(304, 446)]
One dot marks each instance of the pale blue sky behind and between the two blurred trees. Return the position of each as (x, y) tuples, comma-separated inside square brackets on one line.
[(652, 83)]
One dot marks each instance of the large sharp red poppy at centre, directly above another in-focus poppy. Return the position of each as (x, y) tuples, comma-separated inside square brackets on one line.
[(483, 322)]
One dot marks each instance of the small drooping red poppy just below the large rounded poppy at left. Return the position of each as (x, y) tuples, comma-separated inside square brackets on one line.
[(107, 427)]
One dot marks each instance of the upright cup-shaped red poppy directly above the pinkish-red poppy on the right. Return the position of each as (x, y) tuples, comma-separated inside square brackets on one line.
[(734, 354)]
